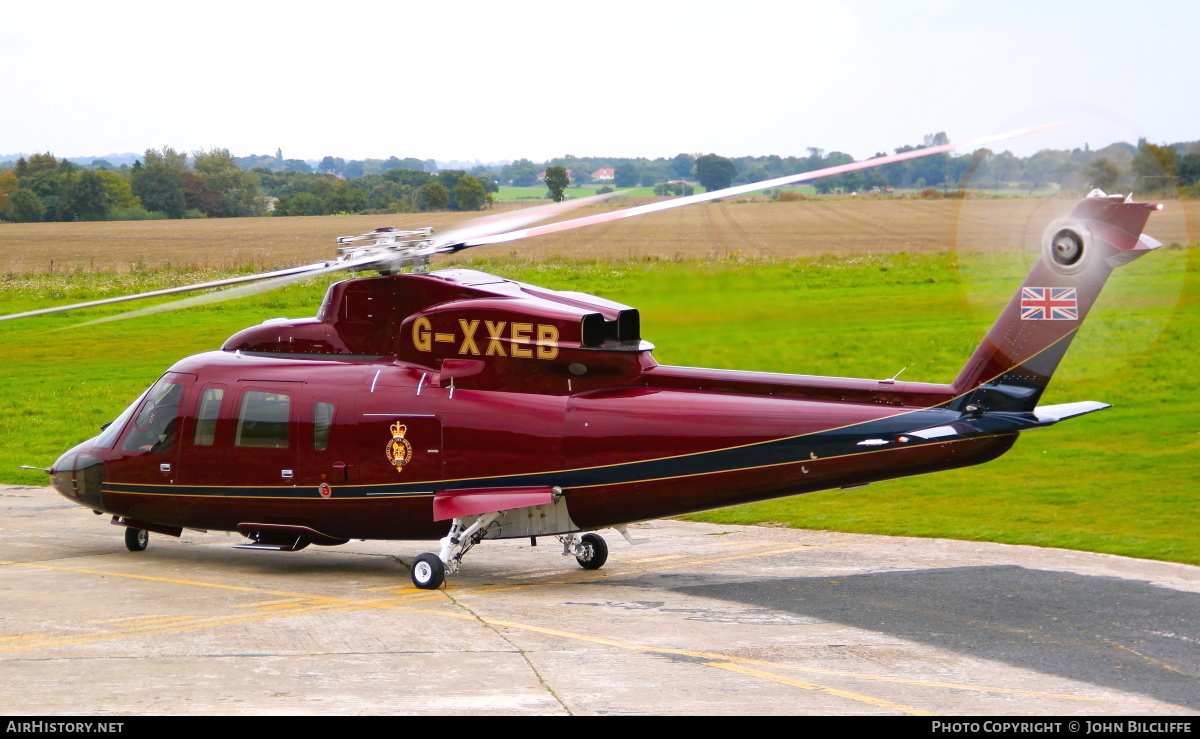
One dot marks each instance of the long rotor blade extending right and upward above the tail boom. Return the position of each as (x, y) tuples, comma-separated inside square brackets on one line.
[(616, 215)]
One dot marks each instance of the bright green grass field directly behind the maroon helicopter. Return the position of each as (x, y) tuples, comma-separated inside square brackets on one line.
[(1123, 482)]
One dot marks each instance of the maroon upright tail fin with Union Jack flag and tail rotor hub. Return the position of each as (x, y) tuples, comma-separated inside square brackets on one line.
[(1012, 368)]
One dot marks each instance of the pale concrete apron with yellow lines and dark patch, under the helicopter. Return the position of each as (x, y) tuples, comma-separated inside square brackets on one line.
[(701, 620)]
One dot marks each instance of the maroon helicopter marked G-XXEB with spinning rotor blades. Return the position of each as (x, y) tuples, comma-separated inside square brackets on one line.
[(461, 407)]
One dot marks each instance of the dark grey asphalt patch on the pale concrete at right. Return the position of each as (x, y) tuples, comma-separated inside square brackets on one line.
[(1126, 635)]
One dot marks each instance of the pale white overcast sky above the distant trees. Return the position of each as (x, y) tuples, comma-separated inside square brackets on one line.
[(507, 80)]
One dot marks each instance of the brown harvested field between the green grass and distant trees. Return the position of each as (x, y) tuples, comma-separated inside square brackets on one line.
[(716, 230)]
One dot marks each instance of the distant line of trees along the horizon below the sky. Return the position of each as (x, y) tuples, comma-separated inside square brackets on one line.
[(169, 184)]
